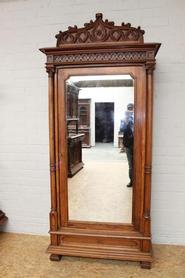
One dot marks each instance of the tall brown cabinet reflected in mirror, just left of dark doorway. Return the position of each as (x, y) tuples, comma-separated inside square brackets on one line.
[(84, 121)]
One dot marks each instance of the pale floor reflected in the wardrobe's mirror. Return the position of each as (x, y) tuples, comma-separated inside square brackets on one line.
[(98, 192)]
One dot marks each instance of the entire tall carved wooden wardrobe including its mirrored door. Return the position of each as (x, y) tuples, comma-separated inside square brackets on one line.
[(100, 130)]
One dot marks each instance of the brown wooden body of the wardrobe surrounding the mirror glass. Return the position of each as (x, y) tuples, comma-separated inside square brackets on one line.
[(100, 47)]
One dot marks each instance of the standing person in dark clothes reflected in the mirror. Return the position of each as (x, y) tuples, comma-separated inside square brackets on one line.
[(127, 127)]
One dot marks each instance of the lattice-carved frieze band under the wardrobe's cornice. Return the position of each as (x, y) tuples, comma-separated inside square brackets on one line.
[(101, 57)]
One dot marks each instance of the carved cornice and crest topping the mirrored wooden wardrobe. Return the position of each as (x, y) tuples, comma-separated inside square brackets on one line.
[(101, 42)]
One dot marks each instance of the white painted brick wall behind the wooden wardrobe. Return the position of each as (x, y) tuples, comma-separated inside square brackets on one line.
[(28, 25)]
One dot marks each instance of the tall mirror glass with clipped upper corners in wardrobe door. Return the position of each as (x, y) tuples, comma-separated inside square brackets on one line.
[(100, 129)]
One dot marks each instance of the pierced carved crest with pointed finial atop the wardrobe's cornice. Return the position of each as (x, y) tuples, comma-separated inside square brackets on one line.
[(100, 31)]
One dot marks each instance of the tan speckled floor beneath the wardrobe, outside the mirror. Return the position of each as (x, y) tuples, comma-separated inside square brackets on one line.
[(24, 256)]
